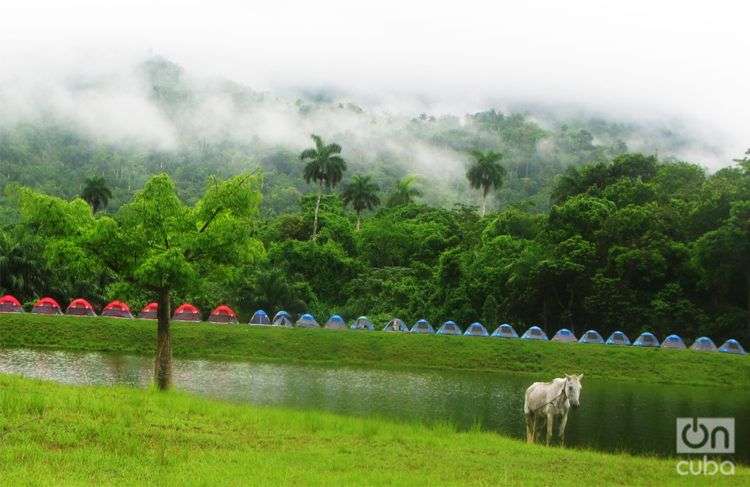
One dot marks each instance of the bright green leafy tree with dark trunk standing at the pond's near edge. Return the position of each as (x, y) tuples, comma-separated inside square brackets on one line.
[(159, 245)]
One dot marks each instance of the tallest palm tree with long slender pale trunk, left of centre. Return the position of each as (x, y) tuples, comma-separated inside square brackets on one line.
[(326, 167)]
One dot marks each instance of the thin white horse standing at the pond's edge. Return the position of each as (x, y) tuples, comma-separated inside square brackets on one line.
[(545, 400)]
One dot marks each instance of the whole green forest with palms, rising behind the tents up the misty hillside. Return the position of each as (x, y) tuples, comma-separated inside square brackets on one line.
[(561, 225)]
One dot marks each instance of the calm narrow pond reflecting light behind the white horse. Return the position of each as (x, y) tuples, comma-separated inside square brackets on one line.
[(627, 416)]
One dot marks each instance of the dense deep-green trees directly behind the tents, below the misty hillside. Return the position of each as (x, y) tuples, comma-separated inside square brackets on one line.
[(633, 244)]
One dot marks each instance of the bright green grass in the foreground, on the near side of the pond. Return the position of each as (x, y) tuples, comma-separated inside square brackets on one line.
[(53, 434)]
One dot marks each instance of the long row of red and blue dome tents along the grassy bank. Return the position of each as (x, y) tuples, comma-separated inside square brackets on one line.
[(225, 314)]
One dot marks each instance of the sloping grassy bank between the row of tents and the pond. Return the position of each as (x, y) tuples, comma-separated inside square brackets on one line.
[(242, 342)]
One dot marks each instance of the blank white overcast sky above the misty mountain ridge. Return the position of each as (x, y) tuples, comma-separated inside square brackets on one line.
[(644, 59)]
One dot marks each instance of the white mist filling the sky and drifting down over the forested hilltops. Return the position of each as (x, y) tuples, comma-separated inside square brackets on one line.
[(670, 67)]
